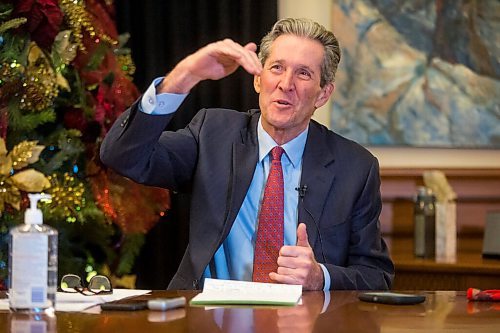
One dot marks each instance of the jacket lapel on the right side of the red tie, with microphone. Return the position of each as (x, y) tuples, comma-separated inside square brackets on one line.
[(318, 175)]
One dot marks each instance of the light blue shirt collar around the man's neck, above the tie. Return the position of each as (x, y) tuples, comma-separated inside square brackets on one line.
[(293, 149)]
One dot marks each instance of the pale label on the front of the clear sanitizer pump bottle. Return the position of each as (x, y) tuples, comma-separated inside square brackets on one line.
[(29, 271)]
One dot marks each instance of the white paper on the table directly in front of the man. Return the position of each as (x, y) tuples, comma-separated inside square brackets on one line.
[(222, 292)]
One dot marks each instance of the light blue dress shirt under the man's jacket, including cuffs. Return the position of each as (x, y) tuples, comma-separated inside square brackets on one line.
[(232, 260)]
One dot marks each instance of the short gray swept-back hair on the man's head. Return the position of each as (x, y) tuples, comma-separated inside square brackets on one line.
[(306, 28)]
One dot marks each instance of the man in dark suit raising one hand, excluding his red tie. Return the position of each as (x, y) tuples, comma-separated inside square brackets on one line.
[(331, 185)]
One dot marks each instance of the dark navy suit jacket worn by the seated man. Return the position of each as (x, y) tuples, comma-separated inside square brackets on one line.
[(214, 158)]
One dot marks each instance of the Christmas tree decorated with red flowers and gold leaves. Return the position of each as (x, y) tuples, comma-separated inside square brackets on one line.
[(65, 76)]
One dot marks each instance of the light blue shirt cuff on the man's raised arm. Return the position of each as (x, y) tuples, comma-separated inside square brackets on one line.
[(160, 104)]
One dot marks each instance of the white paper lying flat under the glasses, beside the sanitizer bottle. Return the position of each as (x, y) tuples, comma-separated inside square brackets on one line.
[(76, 302)]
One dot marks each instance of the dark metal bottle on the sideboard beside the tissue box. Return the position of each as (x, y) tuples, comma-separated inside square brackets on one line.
[(424, 219)]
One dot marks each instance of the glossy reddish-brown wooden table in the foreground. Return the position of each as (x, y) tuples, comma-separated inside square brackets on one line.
[(442, 311)]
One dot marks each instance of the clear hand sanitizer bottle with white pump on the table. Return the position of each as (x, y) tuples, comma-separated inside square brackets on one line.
[(33, 262)]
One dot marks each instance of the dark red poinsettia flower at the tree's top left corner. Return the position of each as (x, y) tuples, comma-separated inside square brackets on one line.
[(44, 18)]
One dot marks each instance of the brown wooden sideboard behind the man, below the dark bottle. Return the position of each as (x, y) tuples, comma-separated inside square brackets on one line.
[(468, 270)]
